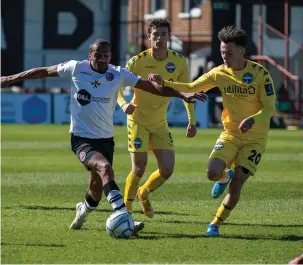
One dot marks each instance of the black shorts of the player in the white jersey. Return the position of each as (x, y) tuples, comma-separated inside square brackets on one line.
[(85, 148)]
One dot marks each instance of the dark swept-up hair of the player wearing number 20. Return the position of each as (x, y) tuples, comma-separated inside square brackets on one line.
[(235, 35)]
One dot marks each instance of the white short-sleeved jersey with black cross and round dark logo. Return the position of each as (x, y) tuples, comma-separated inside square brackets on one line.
[(94, 97)]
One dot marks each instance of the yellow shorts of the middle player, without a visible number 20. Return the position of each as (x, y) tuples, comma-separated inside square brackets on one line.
[(142, 138)]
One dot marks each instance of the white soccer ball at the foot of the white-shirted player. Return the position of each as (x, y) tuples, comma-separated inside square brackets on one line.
[(120, 225)]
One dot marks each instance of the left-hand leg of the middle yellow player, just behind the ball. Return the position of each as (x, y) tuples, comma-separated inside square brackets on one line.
[(139, 162)]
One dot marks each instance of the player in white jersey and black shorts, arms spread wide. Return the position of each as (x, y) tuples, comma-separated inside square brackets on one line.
[(94, 90)]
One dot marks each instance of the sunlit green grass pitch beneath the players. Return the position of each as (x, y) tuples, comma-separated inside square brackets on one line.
[(42, 181)]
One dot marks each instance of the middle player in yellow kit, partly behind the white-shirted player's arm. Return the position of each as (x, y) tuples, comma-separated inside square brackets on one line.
[(147, 123)]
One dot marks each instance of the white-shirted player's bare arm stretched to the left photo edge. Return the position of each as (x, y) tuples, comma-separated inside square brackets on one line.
[(34, 73)]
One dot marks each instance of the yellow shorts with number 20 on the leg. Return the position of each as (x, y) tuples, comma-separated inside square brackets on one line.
[(245, 152)]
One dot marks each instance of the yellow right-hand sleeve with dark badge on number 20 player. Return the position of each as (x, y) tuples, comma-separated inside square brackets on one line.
[(268, 99)]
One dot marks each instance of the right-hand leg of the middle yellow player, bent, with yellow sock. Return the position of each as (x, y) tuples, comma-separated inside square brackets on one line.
[(166, 163)]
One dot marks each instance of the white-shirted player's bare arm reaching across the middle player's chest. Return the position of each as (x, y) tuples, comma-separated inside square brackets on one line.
[(156, 89)]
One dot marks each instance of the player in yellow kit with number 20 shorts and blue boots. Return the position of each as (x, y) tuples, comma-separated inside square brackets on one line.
[(249, 103)]
